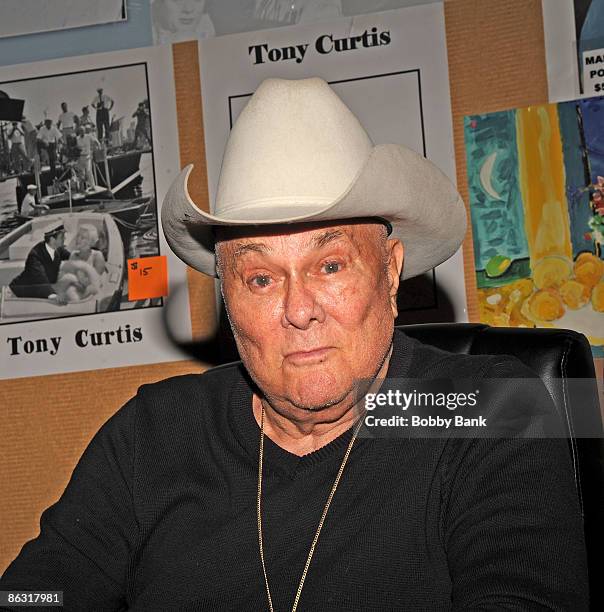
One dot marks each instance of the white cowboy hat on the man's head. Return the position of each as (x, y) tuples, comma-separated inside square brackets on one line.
[(298, 154)]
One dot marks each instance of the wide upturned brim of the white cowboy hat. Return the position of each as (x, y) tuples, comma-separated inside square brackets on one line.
[(422, 205)]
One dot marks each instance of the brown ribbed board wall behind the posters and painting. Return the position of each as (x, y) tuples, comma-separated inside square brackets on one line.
[(496, 61)]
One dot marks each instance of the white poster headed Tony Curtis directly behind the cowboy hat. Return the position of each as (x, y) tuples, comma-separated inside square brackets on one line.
[(390, 69)]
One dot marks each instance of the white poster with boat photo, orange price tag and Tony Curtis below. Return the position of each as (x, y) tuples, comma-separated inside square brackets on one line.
[(88, 148)]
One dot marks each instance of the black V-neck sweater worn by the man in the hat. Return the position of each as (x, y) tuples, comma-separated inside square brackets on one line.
[(160, 513)]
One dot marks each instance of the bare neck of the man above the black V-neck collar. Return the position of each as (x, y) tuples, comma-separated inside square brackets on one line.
[(301, 438)]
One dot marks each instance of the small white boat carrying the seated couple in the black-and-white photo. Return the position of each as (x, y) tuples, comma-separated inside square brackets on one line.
[(16, 245)]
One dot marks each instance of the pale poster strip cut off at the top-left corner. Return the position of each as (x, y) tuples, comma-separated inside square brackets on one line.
[(19, 17)]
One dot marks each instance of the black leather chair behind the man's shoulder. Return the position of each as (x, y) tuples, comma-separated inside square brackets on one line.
[(555, 355)]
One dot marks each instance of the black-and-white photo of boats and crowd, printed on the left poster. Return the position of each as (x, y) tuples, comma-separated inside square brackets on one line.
[(77, 192)]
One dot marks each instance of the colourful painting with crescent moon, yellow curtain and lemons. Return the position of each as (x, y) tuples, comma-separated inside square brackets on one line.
[(536, 183)]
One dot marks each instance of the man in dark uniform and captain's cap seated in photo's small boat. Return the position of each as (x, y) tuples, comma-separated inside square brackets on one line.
[(42, 266)]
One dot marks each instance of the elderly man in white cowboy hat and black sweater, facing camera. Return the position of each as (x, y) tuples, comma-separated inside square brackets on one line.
[(253, 486)]
